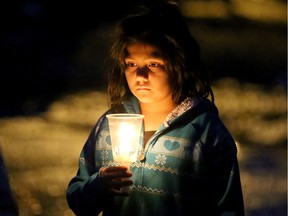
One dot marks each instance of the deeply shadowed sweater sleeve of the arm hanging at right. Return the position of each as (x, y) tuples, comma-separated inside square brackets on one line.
[(224, 169)]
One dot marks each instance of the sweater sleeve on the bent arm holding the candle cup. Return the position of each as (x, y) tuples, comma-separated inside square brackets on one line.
[(85, 193)]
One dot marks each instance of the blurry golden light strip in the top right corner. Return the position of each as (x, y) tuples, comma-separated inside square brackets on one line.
[(261, 10)]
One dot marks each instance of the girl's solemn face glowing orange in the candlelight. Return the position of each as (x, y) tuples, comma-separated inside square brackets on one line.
[(146, 74)]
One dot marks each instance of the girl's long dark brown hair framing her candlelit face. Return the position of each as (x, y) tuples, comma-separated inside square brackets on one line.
[(164, 27)]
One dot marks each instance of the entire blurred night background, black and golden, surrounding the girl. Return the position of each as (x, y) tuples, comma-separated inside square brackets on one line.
[(51, 49)]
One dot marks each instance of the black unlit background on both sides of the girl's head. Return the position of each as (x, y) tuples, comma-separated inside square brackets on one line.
[(49, 48)]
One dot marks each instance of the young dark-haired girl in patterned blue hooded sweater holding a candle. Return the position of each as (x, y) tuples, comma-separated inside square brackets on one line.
[(188, 163)]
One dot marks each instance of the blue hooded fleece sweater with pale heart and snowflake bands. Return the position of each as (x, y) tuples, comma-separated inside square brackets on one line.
[(190, 168)]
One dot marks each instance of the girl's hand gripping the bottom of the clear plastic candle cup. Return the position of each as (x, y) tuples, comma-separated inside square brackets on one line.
[(115, 177)]
